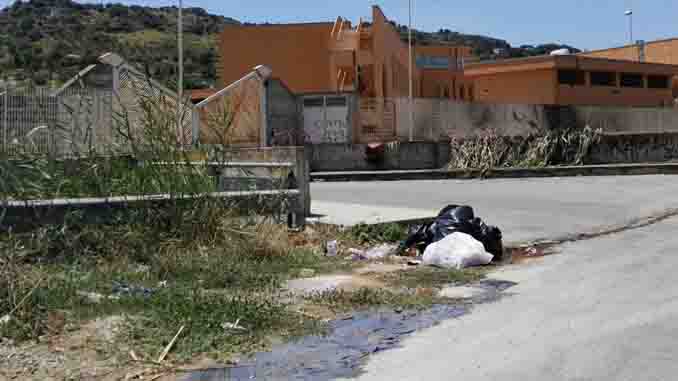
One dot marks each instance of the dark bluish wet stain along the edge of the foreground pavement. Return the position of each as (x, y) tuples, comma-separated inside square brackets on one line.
[(341, 353)]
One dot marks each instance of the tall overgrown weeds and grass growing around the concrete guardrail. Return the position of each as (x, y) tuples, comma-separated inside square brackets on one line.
[(203, 261)]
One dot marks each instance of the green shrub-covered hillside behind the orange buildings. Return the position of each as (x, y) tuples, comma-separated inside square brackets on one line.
[(48, 41)]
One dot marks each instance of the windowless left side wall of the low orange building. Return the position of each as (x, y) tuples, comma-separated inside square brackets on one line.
[(533, 87)]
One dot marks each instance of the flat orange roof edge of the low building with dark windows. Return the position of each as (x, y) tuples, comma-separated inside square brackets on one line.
[(569, 61)]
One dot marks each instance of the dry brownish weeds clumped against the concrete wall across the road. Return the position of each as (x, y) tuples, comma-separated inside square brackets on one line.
[(555, 147)]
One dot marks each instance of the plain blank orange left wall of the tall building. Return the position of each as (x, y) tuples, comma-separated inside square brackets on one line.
[(297, 53)]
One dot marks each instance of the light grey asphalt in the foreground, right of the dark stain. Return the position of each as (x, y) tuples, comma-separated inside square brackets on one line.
[(603, 309)]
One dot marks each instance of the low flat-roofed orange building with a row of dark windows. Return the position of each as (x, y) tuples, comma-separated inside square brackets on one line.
[(572, 80)]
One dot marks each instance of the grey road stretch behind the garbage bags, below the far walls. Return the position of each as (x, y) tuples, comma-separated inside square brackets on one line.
[(525, 209)]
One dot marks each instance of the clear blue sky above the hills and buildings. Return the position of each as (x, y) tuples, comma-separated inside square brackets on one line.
[(586, 24)]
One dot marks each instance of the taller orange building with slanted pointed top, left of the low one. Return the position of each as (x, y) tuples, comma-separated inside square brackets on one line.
[(369, 58)]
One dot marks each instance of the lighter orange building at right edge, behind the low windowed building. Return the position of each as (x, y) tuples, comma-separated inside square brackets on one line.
[(661, 51)]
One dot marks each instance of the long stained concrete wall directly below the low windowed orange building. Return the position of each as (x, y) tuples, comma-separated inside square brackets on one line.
[(442, 119)]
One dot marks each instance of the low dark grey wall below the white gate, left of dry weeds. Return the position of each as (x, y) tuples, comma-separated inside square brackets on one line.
[(354, 157)]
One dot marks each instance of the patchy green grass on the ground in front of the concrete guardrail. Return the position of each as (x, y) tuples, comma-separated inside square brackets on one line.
[(207, 285)]
